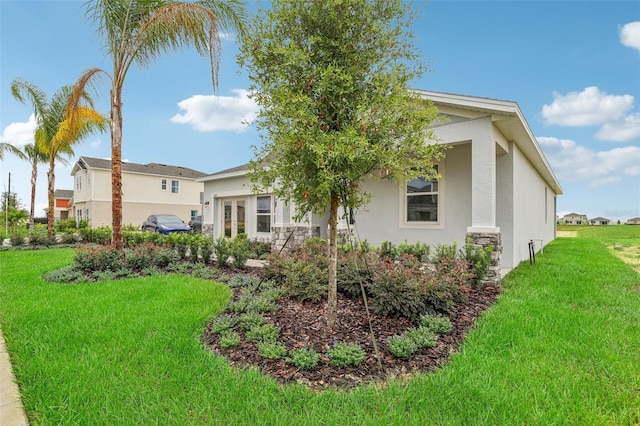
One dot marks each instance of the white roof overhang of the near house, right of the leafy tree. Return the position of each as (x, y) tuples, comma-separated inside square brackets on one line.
[(509, 119)]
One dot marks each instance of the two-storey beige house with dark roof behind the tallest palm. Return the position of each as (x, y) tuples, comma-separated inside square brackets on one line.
[(146, 189)]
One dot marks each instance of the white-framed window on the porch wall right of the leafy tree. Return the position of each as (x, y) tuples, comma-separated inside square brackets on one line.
[(421, 203)]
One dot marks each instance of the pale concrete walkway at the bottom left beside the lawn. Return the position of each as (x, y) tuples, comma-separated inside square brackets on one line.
[(11, 410)]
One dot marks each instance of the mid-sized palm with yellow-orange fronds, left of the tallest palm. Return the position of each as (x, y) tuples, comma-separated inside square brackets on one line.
[(60, 125)]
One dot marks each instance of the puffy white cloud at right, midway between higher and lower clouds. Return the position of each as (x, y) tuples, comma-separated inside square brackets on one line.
[(587, 108)]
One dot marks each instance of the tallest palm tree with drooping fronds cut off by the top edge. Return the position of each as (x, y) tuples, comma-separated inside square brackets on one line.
[(139, 32)]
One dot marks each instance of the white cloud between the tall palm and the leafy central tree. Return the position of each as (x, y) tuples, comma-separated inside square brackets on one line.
[(218, 113)]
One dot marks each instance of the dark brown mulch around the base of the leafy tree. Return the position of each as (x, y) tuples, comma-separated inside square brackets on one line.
[(304, 325)]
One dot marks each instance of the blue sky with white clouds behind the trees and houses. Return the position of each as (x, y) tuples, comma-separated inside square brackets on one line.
[(572, 66)]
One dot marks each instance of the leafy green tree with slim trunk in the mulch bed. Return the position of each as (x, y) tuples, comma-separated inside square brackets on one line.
[(332, 80)]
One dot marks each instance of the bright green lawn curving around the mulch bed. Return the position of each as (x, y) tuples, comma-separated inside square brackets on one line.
[(562, 345)]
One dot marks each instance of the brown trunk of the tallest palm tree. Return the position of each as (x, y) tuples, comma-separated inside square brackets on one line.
[(116, 167)]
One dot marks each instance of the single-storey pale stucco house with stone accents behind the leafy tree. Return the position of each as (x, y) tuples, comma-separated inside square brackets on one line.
[(496, 188)]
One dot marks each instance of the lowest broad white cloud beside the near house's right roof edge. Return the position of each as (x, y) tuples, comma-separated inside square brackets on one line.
[(575, 162)]
